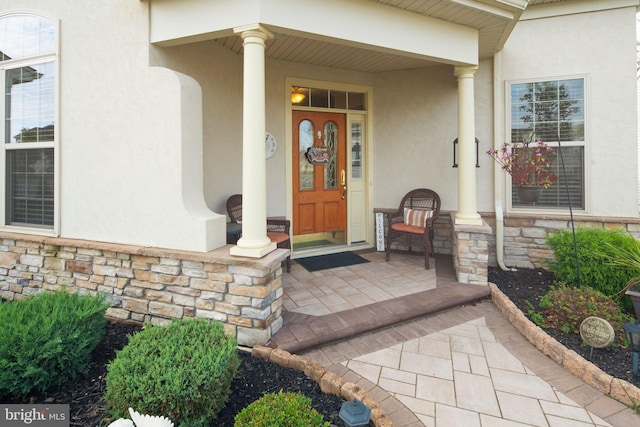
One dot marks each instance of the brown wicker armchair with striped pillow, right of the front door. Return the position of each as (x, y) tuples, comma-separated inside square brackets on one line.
[(413, 222)]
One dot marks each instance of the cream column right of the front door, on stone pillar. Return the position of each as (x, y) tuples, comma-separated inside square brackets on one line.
[(467, 198)]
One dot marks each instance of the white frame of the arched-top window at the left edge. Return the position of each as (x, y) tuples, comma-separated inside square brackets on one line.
[(17, 63)]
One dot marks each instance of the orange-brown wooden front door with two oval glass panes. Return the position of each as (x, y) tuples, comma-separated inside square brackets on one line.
[(319, 173)]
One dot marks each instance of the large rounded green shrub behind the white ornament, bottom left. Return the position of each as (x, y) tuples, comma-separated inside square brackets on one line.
[(182, 371)]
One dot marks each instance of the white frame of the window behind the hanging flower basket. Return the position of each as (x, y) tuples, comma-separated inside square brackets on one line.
[(554, 144)]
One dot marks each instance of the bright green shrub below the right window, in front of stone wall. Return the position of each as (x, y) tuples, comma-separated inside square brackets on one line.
[(594, 247)]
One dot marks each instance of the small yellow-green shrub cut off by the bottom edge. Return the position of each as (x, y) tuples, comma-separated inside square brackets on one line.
[(280, 410)]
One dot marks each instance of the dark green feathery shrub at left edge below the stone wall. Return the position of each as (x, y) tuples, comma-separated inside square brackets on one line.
[(48, 338)]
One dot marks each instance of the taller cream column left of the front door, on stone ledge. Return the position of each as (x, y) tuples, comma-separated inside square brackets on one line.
[(254, 242)]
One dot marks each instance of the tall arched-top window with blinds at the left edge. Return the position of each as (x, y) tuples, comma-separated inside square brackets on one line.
[(28, 70)]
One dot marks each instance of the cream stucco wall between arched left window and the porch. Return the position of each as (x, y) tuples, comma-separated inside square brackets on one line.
[(128, 133)]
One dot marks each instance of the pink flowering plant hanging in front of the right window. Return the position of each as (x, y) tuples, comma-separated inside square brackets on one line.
[(528, 164)]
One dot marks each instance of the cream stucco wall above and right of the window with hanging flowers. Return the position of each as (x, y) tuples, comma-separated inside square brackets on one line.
[(599, 46)]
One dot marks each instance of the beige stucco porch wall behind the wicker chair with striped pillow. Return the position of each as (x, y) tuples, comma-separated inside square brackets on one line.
[(415, 124)]
